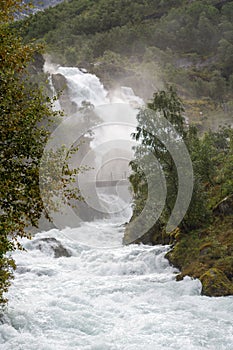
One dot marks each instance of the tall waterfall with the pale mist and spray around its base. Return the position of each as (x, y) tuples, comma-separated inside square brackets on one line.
[(101, 123)]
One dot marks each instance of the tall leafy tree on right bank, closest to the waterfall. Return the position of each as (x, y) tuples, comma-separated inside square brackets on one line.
[(168, 105)]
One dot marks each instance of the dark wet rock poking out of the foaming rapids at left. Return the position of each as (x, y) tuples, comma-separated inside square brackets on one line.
[(51, 244)]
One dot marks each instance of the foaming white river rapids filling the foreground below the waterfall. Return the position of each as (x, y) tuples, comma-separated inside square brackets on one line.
[(96, 294)]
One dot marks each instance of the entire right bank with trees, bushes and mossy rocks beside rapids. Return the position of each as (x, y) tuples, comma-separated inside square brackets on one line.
[(203, 241)]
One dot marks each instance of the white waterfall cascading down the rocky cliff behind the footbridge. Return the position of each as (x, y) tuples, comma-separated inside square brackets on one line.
[(111, 146)]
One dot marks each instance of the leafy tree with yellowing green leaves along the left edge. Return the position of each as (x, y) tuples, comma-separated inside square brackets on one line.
[(25, 114)]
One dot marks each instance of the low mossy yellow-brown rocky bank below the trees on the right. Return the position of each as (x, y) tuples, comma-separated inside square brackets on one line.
[(206, 254)]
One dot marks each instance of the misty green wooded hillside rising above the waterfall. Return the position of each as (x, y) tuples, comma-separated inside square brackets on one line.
[(145, 43)]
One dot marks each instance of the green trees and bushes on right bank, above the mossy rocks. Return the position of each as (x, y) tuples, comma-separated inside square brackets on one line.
[(211, 157)]
